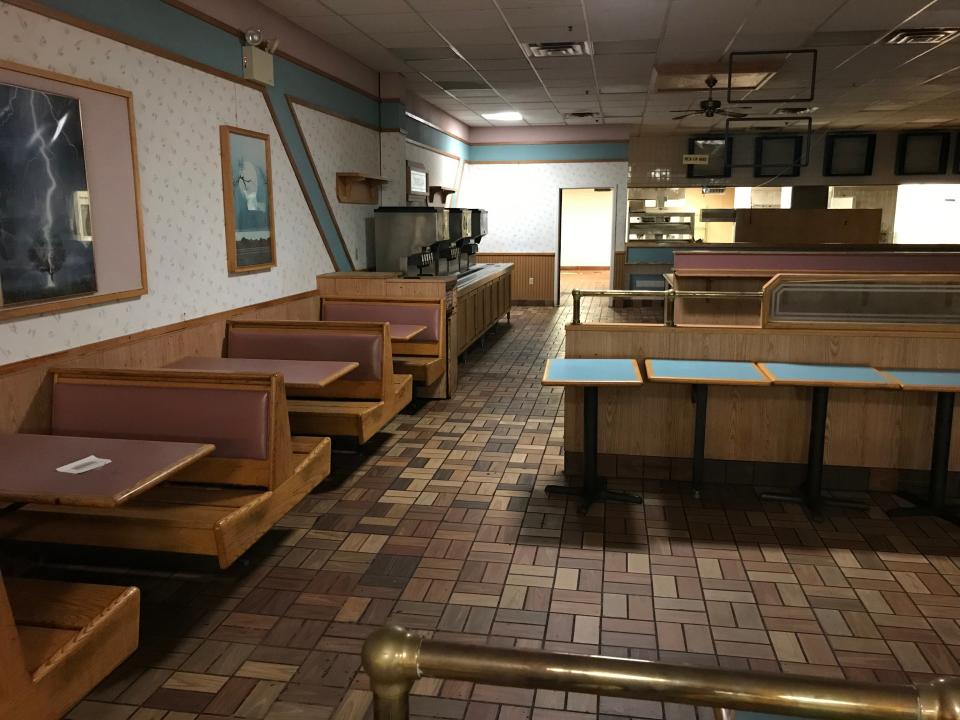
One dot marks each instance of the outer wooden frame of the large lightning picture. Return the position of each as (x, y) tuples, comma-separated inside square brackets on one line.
[(56, 305)]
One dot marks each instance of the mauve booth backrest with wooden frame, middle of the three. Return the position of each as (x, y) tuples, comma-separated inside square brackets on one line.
[(366, 343)]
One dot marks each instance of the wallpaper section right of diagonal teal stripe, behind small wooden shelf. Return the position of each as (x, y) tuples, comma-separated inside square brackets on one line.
[(338, 145)]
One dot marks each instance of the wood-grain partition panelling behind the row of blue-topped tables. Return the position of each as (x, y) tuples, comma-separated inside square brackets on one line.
[(865, 428)]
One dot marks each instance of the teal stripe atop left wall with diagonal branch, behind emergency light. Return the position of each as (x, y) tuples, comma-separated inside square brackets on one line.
[(162, 25)]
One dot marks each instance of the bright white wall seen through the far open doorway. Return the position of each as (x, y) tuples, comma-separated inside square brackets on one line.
[(586, 227)]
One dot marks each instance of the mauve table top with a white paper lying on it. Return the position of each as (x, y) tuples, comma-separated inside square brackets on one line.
[(28, 468)]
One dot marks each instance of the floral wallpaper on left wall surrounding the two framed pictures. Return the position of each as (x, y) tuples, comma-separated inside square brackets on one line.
[(178, 112)]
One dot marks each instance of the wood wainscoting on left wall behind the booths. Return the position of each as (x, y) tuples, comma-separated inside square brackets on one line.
[(25, 386)]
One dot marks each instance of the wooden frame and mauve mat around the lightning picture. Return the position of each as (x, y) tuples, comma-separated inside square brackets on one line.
[(112, 219)]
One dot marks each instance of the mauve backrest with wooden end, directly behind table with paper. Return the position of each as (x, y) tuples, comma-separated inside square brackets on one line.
[(243, 415)]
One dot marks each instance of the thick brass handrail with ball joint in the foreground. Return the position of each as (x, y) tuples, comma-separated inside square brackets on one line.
[(394, 659)]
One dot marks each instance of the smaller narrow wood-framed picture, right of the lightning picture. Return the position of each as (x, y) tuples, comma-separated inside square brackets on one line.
[(256, 217)]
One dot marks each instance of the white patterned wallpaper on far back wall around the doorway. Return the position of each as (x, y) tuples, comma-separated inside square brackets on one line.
[(523, 200)]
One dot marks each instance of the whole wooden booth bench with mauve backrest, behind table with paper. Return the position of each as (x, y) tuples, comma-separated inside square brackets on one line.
[(217, 507)]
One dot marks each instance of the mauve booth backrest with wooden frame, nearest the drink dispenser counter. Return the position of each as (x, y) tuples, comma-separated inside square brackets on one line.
[(429, 313)]
